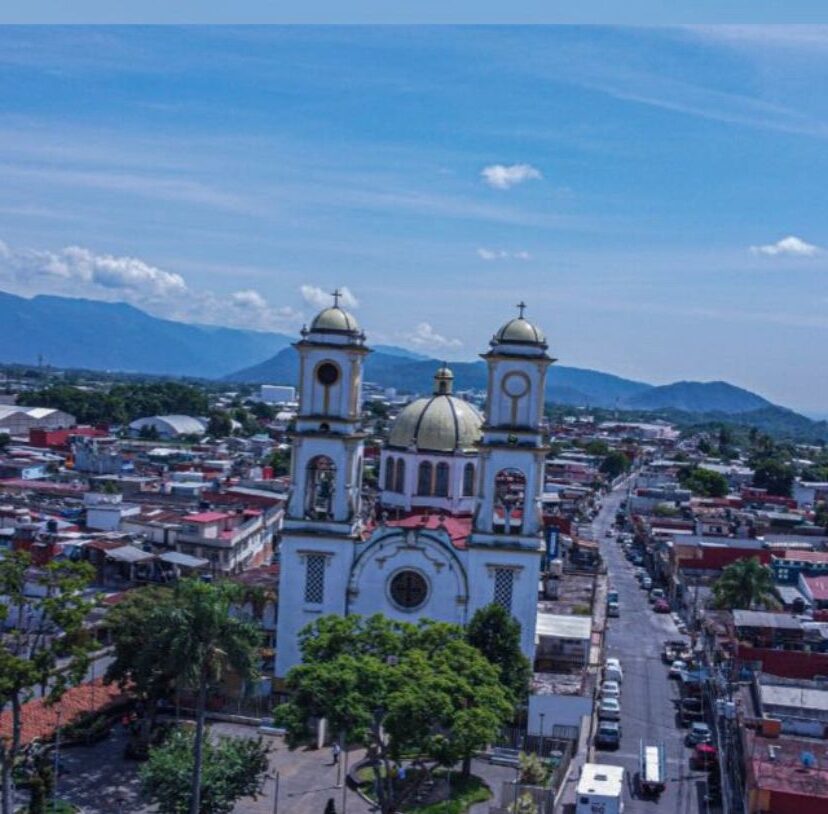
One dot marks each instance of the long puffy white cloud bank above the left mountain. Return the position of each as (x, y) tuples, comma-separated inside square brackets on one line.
[(75, 263)]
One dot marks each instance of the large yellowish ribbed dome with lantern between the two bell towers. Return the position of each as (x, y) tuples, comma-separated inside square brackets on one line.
[(441, 423)]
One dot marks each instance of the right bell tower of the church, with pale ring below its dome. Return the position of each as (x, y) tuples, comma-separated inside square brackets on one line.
[(506, 542)]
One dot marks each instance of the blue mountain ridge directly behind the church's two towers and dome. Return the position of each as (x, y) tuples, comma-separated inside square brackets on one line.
[(565, 385)]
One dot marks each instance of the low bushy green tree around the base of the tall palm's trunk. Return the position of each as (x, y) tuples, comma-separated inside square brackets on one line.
[(232, 768)]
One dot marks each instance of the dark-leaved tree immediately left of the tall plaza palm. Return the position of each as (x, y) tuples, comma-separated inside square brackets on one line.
[(142, 659)]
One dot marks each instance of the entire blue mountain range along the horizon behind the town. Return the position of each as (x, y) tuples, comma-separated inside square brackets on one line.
[(96, 335)]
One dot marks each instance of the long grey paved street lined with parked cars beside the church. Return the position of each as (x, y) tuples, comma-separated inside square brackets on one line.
[(647, 704)]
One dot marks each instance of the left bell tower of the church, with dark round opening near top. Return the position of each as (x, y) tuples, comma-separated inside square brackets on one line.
[(323, 515)]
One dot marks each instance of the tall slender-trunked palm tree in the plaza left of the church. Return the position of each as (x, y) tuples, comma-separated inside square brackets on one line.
[(206, 638)]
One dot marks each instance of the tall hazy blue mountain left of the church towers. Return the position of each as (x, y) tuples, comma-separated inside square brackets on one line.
[(114, 336)]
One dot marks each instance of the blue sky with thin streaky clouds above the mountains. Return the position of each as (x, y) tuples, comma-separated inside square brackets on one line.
[(655, 195)]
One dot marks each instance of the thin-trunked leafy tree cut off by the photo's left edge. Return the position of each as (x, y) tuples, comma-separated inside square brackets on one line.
[(40, 628)]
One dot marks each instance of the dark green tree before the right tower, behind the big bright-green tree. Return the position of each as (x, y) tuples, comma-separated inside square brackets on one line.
[(496, 634)]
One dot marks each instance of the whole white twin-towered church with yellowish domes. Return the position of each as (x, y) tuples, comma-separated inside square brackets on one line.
[(459, 524)]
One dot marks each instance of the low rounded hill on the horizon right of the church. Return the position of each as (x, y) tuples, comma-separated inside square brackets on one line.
[(697, 397)]
